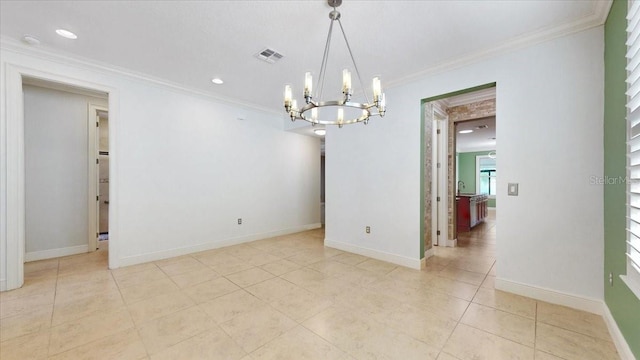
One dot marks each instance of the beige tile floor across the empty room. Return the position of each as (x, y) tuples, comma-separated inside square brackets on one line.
[(289, 298)]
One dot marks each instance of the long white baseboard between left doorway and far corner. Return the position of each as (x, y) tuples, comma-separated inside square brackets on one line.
[(165, 254)]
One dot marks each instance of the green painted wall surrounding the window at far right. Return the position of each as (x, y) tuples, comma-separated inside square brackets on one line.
[(623, 304)]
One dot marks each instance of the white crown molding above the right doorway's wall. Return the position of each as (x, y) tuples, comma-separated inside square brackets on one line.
[(597, 18)]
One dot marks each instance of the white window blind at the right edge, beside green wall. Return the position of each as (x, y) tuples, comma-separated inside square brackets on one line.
[(632, 279)]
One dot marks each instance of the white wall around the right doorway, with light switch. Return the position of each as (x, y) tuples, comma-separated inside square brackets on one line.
[(549, 111)]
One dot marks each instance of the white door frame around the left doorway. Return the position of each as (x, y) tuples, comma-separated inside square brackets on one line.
[(12, 160)]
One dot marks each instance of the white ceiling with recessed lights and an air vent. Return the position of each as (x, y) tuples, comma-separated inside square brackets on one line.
[(187, 43)]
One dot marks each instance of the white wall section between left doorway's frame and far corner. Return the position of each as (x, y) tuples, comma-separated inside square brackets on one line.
[(192, 169)]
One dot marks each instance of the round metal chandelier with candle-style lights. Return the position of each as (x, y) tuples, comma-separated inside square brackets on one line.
[(362, 111)]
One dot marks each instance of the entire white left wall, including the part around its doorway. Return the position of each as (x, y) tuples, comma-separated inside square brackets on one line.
[(183, 167)]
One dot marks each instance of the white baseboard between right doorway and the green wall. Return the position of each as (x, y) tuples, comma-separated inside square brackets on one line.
[(552, 296)]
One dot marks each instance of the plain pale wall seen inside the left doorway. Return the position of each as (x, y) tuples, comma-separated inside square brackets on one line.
[(56, 173)]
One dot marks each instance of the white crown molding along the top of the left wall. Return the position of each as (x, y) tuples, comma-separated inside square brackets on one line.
[(59, 57)]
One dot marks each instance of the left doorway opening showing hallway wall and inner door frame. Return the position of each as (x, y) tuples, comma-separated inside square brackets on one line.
[(61, 168)]
